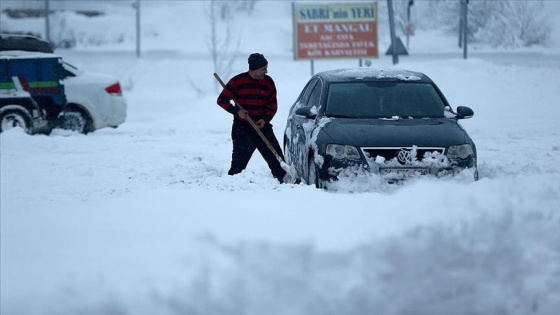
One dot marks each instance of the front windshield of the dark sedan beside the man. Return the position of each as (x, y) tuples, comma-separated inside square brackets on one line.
[(384, 99)]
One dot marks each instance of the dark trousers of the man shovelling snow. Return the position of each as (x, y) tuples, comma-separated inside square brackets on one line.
[(246, 140)]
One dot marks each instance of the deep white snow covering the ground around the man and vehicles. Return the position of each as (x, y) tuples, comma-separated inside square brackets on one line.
[(144, 219)]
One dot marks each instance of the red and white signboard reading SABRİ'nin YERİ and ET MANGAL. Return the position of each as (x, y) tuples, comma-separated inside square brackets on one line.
[(335, 30)]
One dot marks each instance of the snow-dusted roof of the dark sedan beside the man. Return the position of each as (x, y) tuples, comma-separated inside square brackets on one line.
[(371, 74)]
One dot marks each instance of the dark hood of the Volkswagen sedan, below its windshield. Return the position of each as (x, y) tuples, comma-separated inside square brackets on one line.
[(395, 133)]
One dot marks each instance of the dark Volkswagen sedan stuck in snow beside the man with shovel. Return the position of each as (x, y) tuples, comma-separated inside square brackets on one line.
[(395, 123)]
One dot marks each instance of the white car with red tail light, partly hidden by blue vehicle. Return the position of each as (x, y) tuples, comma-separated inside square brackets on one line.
[(95, 101)]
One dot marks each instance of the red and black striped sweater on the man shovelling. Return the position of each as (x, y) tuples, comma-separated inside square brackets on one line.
[(257, 97)]
